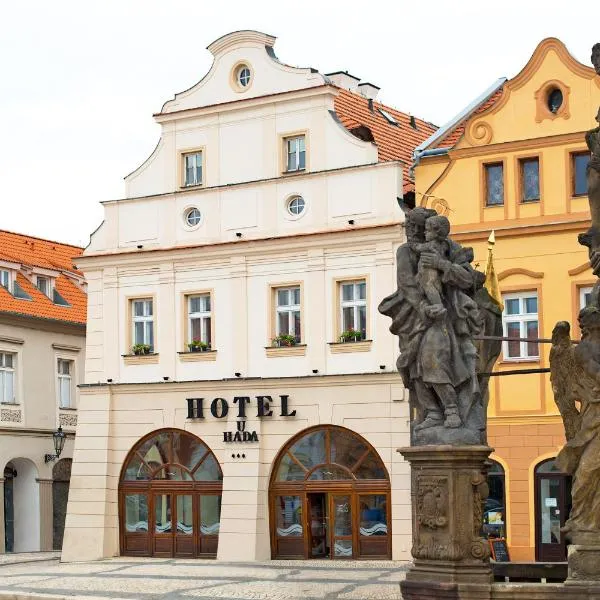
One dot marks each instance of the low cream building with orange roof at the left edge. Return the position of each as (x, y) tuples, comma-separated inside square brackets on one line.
[(42, 354)]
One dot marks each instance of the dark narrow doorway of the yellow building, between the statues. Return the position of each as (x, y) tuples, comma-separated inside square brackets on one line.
[(552, 508)]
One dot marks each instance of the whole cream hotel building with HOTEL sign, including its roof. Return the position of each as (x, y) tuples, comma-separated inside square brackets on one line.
[(239, 379)]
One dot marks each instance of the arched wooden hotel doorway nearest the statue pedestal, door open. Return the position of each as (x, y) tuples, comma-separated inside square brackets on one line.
[(329, 497)]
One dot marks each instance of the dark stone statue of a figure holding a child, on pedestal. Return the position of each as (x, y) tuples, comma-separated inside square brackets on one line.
[(435, 316)]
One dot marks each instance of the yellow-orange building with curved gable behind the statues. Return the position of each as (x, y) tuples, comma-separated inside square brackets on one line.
[(514, 162)]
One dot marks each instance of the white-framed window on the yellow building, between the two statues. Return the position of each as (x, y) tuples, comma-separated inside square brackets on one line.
[(520, 319)]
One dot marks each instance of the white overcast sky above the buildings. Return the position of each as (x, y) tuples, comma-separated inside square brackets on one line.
[(80, 80)]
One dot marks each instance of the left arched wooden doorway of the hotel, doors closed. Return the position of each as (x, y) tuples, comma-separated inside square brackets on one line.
[(170, 497)]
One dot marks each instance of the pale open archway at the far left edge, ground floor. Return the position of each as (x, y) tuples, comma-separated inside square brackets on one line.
[(21, 506)]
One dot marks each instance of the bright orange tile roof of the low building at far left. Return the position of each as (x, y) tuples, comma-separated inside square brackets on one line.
[(34, 252)]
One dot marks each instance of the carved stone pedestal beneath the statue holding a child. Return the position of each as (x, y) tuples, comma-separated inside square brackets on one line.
[(448, 489)]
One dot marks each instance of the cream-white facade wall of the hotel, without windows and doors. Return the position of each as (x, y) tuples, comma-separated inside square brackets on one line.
[(245, 245)]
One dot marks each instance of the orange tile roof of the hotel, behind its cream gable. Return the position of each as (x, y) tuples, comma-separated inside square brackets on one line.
[(394, 142)]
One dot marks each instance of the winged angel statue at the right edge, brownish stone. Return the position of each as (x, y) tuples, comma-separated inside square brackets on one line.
[(575, 377)]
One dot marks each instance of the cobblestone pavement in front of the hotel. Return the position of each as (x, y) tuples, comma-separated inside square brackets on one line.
[(129, 578)]
